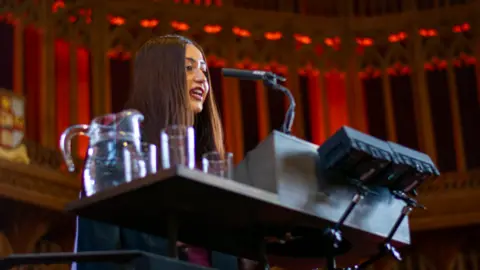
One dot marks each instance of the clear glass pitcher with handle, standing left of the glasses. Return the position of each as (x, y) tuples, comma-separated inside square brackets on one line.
[(114, 155)]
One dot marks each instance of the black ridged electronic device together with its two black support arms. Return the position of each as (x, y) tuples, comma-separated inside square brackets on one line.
[(369, 163)]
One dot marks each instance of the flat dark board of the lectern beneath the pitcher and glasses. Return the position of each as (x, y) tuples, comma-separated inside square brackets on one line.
[(211, 212)]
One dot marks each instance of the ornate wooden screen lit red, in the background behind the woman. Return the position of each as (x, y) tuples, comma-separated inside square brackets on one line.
[(403, 70)]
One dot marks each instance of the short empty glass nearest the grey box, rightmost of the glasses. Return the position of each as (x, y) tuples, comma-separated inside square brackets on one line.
[(218, 164)]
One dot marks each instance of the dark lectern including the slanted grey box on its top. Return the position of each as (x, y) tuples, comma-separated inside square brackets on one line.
[(277, 191)]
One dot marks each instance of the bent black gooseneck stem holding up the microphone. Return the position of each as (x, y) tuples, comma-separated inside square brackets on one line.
[(271, 80)]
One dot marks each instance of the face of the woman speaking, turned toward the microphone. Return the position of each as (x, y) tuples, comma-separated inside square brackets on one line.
[(197, 82)]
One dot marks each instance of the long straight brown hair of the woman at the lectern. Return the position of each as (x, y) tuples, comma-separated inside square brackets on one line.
[(159, 93)]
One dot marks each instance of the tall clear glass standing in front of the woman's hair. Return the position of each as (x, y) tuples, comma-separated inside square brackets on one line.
[(178, 146)]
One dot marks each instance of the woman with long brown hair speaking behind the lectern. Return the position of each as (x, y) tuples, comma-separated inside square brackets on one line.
[(171, 87)]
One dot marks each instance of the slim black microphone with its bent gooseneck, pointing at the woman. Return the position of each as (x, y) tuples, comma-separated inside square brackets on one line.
[(270, 80)]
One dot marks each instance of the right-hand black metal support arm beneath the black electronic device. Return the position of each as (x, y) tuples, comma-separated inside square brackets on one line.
[(386, 247)]
